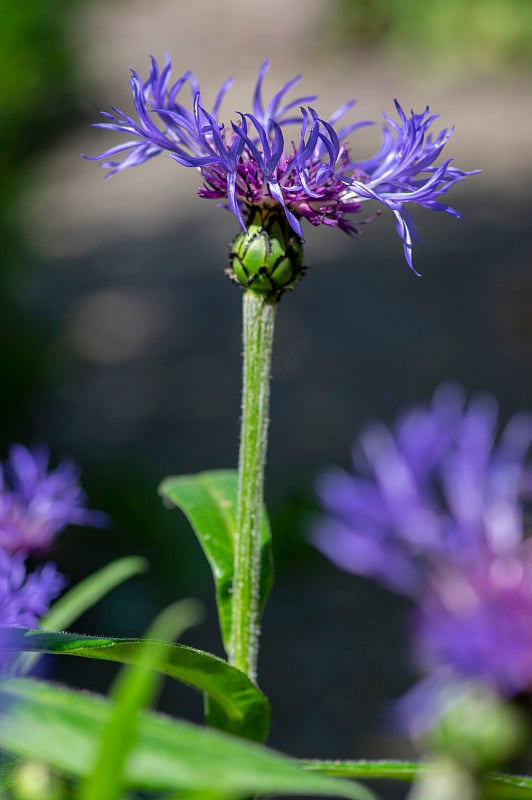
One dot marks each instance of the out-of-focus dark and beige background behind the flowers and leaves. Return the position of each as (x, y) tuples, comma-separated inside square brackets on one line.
[(120, 335)]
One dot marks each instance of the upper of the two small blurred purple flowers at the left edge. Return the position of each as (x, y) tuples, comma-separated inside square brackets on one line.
[(36, 503)]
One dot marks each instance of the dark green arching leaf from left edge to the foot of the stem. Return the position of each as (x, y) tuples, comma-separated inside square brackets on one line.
[(237, 704)]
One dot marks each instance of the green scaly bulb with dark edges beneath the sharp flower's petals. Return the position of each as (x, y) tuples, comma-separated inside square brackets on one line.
[(268, 258)]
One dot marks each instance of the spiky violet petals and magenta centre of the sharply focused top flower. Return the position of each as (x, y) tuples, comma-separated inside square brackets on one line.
[(311, 176)]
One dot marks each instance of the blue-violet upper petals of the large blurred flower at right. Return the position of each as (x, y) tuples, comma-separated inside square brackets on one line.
[(441, 488)]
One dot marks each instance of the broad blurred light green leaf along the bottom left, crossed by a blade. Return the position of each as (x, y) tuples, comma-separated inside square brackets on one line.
[(62, 728)]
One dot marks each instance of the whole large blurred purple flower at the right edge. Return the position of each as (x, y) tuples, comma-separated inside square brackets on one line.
[(437, 515)]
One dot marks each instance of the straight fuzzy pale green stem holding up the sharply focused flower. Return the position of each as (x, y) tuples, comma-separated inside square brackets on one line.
[(258, 328)]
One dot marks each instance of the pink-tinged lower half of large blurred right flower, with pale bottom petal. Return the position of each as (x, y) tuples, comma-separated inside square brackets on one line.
[(471, 629)]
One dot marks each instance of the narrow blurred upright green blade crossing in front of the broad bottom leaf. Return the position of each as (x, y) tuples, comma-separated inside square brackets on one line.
[(134, 690)]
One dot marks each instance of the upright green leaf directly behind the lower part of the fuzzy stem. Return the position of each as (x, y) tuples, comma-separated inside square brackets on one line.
[(208, 500)]
